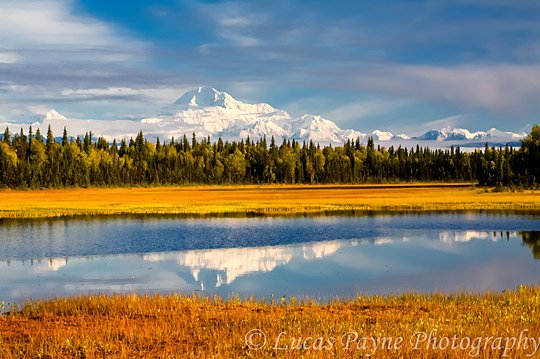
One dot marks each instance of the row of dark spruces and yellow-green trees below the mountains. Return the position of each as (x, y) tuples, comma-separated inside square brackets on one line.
[(33, 161)]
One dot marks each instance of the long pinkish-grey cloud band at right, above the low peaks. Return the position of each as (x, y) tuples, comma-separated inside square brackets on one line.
[(504, 88)]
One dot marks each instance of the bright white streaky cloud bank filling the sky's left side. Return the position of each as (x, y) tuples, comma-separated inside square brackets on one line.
[(70, 60)]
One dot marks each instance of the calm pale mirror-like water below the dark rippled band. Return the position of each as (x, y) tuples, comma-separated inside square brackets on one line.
[(422, 260)]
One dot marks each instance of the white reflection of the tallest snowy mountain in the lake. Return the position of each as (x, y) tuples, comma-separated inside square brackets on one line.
[(232, 263)]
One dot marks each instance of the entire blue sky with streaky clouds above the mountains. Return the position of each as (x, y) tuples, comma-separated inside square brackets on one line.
[(405, 66)]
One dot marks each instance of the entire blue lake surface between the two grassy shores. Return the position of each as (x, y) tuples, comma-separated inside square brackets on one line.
[(319, 257)]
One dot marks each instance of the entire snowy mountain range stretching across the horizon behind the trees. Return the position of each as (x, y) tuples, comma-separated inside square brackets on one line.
[(208, 112)]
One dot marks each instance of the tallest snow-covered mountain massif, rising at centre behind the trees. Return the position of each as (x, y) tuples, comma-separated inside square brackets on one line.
[(208, 112)]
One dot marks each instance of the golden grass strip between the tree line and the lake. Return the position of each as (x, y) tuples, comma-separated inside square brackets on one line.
[(264, 200)]
